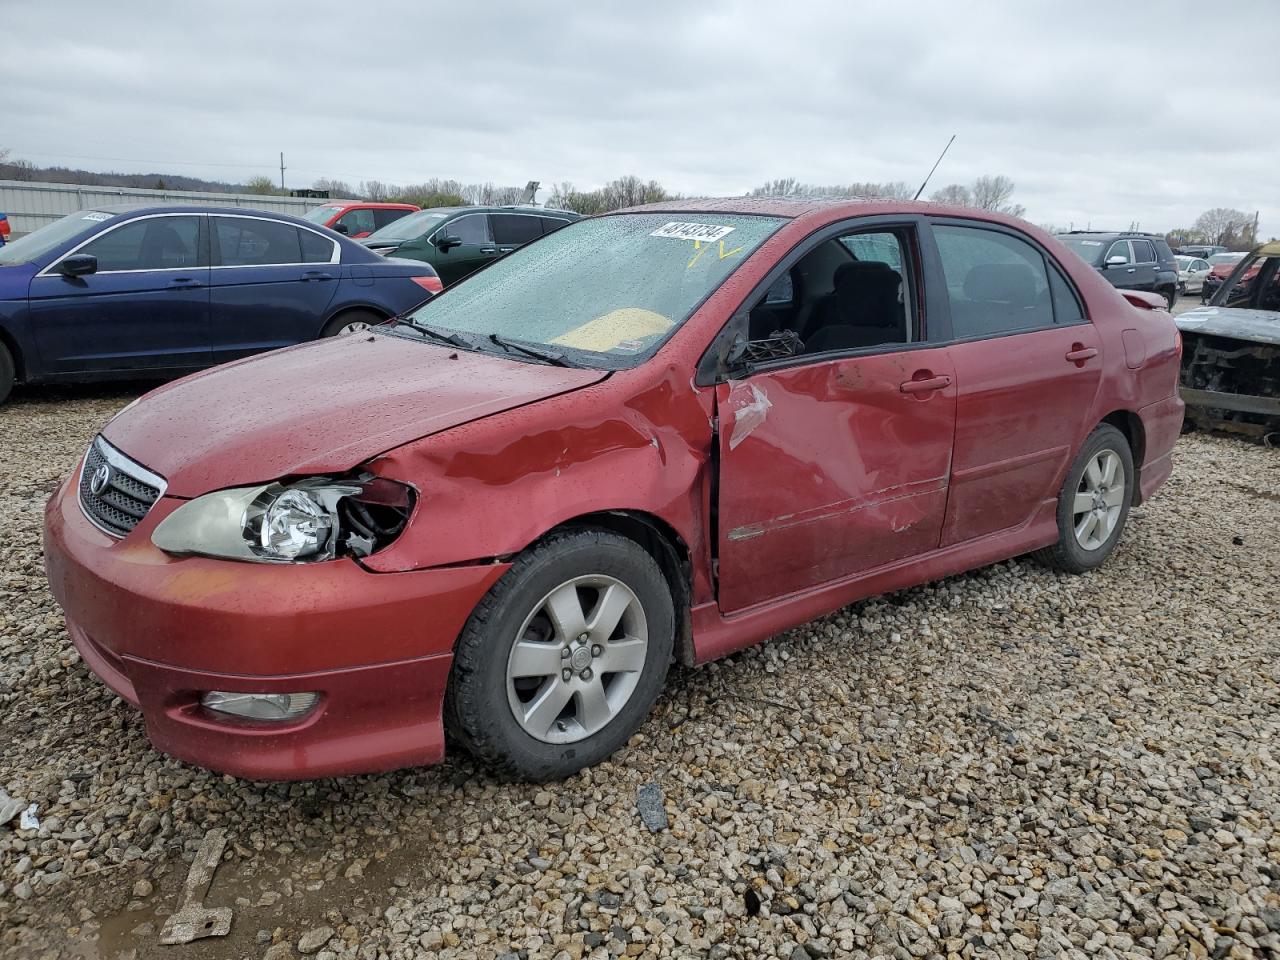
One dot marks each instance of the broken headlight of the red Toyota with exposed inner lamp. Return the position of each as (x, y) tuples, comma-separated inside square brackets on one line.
[(296, 522)]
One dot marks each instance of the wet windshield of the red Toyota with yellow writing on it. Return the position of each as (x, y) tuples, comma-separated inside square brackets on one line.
[(605, 292)]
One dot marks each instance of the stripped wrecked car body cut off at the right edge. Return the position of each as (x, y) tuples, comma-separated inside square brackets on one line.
[(1231, 376)]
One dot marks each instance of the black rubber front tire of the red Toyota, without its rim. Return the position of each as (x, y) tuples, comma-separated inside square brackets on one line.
[(477, 708)]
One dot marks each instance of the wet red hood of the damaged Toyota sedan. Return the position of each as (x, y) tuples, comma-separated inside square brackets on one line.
[(321, 409)]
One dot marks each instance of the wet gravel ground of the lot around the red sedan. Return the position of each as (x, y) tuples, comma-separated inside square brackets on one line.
[(1009, 764)]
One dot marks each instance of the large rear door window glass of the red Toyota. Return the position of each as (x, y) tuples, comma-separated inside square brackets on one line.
[(996, 282)]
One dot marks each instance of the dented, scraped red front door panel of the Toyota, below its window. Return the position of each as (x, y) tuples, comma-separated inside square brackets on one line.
[(831, 469)]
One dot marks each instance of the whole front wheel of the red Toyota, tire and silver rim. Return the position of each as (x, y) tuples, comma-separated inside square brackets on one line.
[(563, 661)]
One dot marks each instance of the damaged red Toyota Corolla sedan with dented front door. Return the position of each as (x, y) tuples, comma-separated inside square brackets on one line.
[(661, 435)]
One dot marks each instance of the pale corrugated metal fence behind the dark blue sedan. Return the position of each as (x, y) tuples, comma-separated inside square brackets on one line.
[(33, 205)]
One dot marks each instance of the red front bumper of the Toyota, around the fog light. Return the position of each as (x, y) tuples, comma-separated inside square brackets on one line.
[(161, 630)]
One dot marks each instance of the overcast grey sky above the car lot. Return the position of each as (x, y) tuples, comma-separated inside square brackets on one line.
[(1103, 113)]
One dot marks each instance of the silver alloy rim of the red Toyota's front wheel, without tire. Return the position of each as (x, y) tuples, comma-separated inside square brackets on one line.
[(577, 660)]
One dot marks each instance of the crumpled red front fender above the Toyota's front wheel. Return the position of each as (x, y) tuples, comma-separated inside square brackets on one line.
[(491, 488)]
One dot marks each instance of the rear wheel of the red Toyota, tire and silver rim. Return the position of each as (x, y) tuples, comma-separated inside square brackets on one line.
[(1094, 505)]
